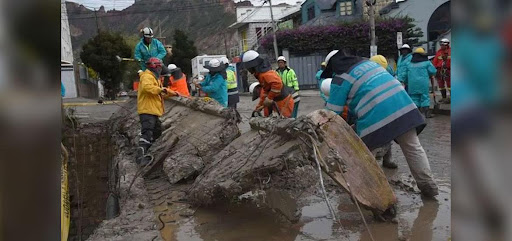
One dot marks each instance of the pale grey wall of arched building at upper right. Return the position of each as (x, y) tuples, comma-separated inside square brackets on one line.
[(420, 10)]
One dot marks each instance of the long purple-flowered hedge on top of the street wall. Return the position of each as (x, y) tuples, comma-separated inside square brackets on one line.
[(353, 35)]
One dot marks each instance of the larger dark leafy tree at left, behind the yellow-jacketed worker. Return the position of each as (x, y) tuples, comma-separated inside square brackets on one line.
[(100, 52)]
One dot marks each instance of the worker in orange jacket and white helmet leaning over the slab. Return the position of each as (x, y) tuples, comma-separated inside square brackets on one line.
[(270, 87)]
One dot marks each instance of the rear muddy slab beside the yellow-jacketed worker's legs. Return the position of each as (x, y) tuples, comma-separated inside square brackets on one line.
[(194, 129)]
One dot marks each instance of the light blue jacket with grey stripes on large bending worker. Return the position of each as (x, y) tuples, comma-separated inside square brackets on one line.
[(382, 108)]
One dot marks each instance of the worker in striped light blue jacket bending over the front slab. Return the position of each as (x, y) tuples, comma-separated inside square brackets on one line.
[(383, 110)]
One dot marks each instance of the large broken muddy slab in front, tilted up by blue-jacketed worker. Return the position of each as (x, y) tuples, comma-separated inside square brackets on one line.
[(276, 145)]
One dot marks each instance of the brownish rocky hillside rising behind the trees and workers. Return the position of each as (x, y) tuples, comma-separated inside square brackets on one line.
[(205, 21)]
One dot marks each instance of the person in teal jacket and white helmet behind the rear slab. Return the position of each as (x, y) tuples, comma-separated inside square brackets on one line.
[(215, 83)]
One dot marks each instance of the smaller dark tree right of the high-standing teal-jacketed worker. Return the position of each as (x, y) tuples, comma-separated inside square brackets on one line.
[(183, 51)]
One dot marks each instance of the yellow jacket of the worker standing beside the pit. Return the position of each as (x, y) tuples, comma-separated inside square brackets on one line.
[(149, 100)]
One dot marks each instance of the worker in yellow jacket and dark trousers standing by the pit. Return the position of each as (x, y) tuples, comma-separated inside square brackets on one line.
[(150, 106)]
